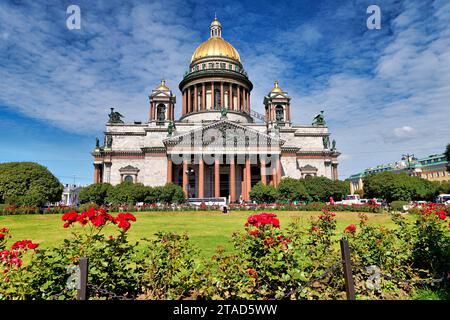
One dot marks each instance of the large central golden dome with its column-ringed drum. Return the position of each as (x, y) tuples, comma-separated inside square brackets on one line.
[(215, 80)]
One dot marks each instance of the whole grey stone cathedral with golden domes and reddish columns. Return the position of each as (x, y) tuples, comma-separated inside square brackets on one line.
[(219, 147)]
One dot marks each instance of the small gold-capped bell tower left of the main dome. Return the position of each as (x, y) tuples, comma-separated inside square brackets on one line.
[(162, 104)]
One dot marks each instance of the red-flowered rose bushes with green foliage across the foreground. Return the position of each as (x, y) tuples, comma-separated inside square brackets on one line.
[(269, 261)]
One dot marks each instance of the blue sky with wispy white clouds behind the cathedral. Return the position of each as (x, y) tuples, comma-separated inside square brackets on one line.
[(385, 92)]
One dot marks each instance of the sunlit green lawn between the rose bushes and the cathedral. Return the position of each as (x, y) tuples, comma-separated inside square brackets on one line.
[(207, 229)]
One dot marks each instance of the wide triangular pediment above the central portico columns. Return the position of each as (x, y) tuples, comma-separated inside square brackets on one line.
[(224, 133)]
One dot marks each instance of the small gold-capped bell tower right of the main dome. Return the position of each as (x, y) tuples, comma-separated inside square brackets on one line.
[(277, 106)]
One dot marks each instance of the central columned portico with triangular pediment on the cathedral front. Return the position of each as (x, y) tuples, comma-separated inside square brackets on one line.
[(223, 160)]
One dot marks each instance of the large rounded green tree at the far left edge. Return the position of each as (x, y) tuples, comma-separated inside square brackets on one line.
[(28, 183)]
